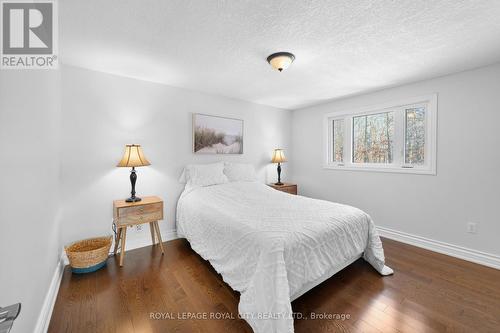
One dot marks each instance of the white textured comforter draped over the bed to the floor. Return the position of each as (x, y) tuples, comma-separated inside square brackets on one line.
[(270, 245)]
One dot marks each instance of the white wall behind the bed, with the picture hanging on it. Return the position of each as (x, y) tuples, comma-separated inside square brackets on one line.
[(103, 112)]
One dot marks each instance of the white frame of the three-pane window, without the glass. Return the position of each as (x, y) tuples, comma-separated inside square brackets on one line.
[(398, 165)]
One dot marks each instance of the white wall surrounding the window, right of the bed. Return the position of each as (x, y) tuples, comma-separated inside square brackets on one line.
[(467, 185)]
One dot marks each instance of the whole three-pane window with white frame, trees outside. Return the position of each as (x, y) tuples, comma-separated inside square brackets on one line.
[(395, 137)]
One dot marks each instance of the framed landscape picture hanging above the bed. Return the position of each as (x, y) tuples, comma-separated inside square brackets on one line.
[(217, 135)]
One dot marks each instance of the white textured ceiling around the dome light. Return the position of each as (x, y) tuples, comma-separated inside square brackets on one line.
[(220, 47)]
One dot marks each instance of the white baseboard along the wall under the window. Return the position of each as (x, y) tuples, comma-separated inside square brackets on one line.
[(478, 257)]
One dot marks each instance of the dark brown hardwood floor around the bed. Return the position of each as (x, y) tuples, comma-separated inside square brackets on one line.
[(429, 292)]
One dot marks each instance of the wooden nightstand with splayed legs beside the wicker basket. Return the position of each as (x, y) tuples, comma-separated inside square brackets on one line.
[(126, 214)]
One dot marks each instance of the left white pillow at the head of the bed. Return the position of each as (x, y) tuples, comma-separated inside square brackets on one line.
[(204, 174)]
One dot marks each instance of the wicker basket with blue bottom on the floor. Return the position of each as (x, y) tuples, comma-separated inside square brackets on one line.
[(88, 255)]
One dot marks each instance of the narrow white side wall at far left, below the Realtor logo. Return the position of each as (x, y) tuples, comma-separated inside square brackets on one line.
[(29, 167)]
